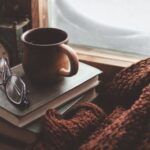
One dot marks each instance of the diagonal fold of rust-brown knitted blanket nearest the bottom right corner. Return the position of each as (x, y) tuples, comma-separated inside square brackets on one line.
[(123, 133)]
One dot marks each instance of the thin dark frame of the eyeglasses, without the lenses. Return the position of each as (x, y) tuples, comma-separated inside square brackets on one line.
[(24, 102)]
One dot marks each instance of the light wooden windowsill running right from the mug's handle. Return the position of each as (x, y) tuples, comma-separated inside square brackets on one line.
[(105, 56)]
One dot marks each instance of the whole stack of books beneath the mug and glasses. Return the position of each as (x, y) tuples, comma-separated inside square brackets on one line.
[(24, 126)]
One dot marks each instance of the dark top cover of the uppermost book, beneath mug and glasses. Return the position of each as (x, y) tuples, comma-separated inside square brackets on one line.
[(85, 73)]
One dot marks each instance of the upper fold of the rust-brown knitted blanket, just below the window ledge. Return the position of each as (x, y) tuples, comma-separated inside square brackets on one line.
[(127, 85)]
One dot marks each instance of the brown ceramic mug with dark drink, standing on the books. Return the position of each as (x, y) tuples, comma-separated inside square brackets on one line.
[(46, 55)]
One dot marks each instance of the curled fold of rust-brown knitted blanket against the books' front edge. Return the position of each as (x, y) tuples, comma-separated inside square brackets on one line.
[(67, 133)]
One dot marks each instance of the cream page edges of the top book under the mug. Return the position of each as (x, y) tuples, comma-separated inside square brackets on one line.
[(22, 121)]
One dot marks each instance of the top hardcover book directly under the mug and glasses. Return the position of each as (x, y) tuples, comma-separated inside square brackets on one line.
[(44, 97)]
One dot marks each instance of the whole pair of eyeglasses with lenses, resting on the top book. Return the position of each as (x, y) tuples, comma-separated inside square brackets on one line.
[(15, 88)]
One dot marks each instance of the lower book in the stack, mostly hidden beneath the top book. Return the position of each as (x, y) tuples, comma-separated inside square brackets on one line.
[(29, 134)]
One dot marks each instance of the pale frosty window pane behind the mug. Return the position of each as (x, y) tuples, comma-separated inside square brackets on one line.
[(113, 24)]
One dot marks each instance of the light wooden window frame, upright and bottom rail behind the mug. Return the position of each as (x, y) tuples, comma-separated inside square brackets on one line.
[(85, 53)]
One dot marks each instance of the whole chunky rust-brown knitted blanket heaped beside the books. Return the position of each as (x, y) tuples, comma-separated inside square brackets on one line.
[(88, 127)]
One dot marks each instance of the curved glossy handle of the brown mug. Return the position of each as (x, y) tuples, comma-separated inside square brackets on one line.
[(73, 58)]
